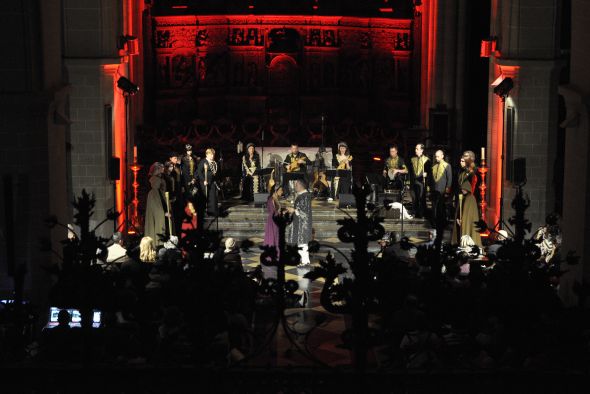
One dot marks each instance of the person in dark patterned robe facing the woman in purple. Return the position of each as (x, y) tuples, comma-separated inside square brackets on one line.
[(299, 231)]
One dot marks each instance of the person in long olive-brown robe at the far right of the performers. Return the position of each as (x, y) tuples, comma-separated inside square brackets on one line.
[(467, 213)]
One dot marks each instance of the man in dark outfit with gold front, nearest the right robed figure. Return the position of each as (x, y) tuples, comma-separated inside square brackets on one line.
[(442, 180)]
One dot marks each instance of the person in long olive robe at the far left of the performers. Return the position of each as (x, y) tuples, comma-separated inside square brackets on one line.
[(155, 211)]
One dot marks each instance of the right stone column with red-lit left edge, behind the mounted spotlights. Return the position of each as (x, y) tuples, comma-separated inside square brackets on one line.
[(527, 40)]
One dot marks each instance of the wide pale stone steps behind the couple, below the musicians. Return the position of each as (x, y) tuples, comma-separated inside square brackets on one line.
[(244, 221)]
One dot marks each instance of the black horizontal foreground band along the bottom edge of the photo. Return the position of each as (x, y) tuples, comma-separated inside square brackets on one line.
[(184, 379)]
